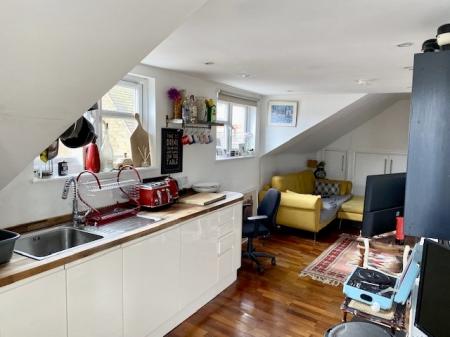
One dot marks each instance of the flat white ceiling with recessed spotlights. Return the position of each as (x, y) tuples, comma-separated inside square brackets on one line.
[(303, 45)]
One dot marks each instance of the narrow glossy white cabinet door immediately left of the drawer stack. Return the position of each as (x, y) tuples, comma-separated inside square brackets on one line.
[(199, 257)]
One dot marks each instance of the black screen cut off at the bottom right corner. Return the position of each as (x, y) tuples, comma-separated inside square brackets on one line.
[(433, 301)]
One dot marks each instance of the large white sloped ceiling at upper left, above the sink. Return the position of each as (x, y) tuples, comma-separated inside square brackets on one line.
[(58, 57)]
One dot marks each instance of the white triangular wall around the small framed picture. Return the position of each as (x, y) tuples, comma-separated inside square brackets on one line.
[(312, 109)]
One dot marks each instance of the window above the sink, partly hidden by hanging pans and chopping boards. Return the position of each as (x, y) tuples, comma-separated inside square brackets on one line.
[(117, 109)]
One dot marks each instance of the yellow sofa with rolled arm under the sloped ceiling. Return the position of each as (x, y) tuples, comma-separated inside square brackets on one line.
[(301, 209)]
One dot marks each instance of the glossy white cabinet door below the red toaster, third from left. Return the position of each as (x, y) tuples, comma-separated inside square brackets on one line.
[(151, 282)]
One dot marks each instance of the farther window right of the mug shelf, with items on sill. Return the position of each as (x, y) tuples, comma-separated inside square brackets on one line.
[(237, 137)]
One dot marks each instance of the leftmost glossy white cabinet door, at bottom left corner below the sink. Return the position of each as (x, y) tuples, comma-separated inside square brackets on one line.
[(35, 307)]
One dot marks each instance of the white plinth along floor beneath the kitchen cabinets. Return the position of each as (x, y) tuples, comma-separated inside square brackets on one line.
[(186, 312)]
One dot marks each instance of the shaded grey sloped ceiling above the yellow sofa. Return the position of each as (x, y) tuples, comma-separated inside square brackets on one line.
[(337, 125)]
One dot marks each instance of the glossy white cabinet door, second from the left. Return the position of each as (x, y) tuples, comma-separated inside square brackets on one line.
[(94, 295)]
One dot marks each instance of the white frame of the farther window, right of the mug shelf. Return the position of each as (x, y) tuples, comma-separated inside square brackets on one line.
[(228, 128)]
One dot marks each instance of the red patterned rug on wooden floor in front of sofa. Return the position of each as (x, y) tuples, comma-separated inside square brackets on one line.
[(337, 262)]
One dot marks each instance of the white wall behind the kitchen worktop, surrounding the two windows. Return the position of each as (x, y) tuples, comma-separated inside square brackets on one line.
[(24, 200)]
